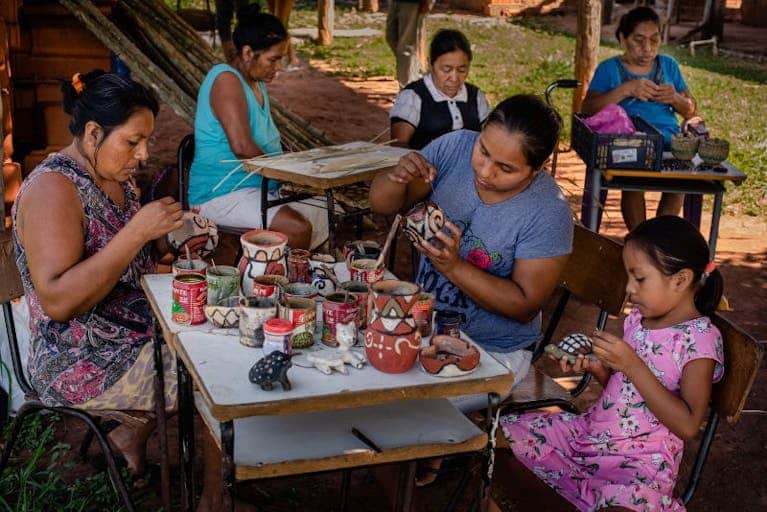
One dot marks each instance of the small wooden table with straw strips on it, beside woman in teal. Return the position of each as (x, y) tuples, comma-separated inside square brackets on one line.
[(293, 171)]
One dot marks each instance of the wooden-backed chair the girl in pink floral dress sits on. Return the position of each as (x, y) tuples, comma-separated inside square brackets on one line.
[(742, 359)]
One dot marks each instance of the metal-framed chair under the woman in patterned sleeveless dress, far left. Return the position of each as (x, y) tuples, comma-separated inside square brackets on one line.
[(11, 289)]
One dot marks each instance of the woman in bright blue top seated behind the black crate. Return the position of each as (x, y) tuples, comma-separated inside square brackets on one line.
[(646, 84)]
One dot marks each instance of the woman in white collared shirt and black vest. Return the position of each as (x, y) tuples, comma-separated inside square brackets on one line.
[(441, 101)]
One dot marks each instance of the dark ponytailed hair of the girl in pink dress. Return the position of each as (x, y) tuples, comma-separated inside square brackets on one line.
[(673, 244)]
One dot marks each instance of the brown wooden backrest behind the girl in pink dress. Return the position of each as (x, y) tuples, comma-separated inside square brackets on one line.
[(742, 357)]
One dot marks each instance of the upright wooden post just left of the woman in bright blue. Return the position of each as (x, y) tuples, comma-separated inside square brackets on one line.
[(586, 47)]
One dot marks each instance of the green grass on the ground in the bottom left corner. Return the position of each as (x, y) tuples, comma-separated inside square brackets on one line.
[(32, 481)]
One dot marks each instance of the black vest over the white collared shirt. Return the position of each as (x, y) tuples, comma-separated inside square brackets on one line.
[(435, 118)]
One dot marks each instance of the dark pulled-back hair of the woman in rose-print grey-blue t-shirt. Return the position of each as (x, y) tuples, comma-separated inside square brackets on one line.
[(537, 122)]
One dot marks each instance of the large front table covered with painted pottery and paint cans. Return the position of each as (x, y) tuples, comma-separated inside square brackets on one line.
[(213, 361)]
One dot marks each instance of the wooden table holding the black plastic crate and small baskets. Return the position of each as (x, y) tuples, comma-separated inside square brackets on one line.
[(694, 180)]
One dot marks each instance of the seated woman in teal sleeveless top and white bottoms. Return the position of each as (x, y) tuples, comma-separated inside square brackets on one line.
[(233, 122)]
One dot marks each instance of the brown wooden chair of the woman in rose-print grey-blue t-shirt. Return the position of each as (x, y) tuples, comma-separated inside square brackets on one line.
[(594, 274)]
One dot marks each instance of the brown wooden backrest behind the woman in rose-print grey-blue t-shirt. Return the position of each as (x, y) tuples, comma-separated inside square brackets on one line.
[(595, 273)]
